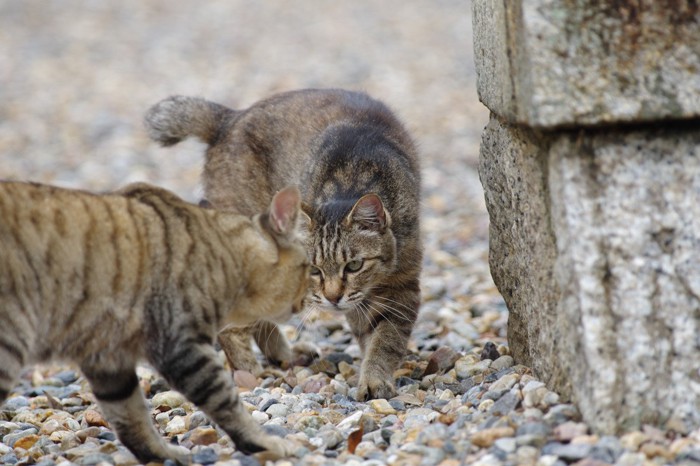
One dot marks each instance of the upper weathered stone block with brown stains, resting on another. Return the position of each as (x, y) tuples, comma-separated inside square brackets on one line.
[(549, 63)]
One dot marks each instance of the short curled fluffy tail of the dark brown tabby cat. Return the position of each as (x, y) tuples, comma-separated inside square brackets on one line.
[(173, 119)]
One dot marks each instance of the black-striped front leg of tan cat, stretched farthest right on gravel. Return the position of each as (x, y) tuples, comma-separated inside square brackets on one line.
[(195, 370)]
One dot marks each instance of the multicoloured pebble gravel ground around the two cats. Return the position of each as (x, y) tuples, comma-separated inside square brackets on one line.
[(75, 80)]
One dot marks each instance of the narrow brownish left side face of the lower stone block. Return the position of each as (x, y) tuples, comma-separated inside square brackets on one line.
[(522, 250)]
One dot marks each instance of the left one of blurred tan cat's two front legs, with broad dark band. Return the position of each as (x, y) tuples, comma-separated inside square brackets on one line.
[(124, 406)]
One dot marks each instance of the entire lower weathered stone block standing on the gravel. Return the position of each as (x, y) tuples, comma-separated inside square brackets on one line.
[(595, 246)]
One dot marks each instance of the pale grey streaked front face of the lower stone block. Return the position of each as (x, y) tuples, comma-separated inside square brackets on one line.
[(626, 216)]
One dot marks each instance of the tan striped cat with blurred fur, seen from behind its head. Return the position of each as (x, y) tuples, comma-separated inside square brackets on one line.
[(106, 280)]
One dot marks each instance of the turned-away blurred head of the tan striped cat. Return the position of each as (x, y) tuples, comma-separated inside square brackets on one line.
[(275, 263)]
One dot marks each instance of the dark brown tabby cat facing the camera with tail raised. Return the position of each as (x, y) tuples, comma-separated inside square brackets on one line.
[(357, 169)]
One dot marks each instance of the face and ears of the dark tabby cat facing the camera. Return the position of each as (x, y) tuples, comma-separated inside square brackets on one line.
[(352, 251)]
